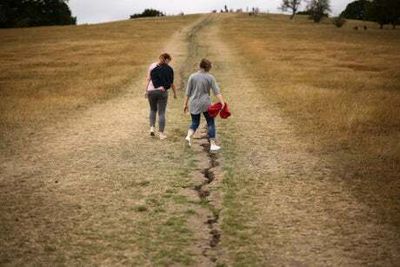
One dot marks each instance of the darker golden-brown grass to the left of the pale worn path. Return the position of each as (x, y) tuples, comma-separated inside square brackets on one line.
[(47, 72)]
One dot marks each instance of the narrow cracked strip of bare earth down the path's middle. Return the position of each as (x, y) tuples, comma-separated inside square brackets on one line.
[(206, 174)]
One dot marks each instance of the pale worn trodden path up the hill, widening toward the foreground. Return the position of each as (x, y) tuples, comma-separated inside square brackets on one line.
[(97, 190)]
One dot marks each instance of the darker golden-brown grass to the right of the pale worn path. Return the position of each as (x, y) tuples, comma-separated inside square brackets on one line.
[(340, 86)]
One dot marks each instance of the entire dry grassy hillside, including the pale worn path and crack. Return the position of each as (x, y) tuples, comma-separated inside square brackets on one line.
[(308, 174)]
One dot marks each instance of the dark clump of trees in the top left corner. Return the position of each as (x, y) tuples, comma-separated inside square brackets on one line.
[(27, 13)]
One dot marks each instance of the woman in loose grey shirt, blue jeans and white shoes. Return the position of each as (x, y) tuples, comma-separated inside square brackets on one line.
[(198, 99)]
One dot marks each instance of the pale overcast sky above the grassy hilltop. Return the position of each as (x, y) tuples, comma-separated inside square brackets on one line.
[(95, 11)]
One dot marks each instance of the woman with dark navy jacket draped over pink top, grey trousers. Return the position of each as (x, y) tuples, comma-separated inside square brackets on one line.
[(160, 79)]
